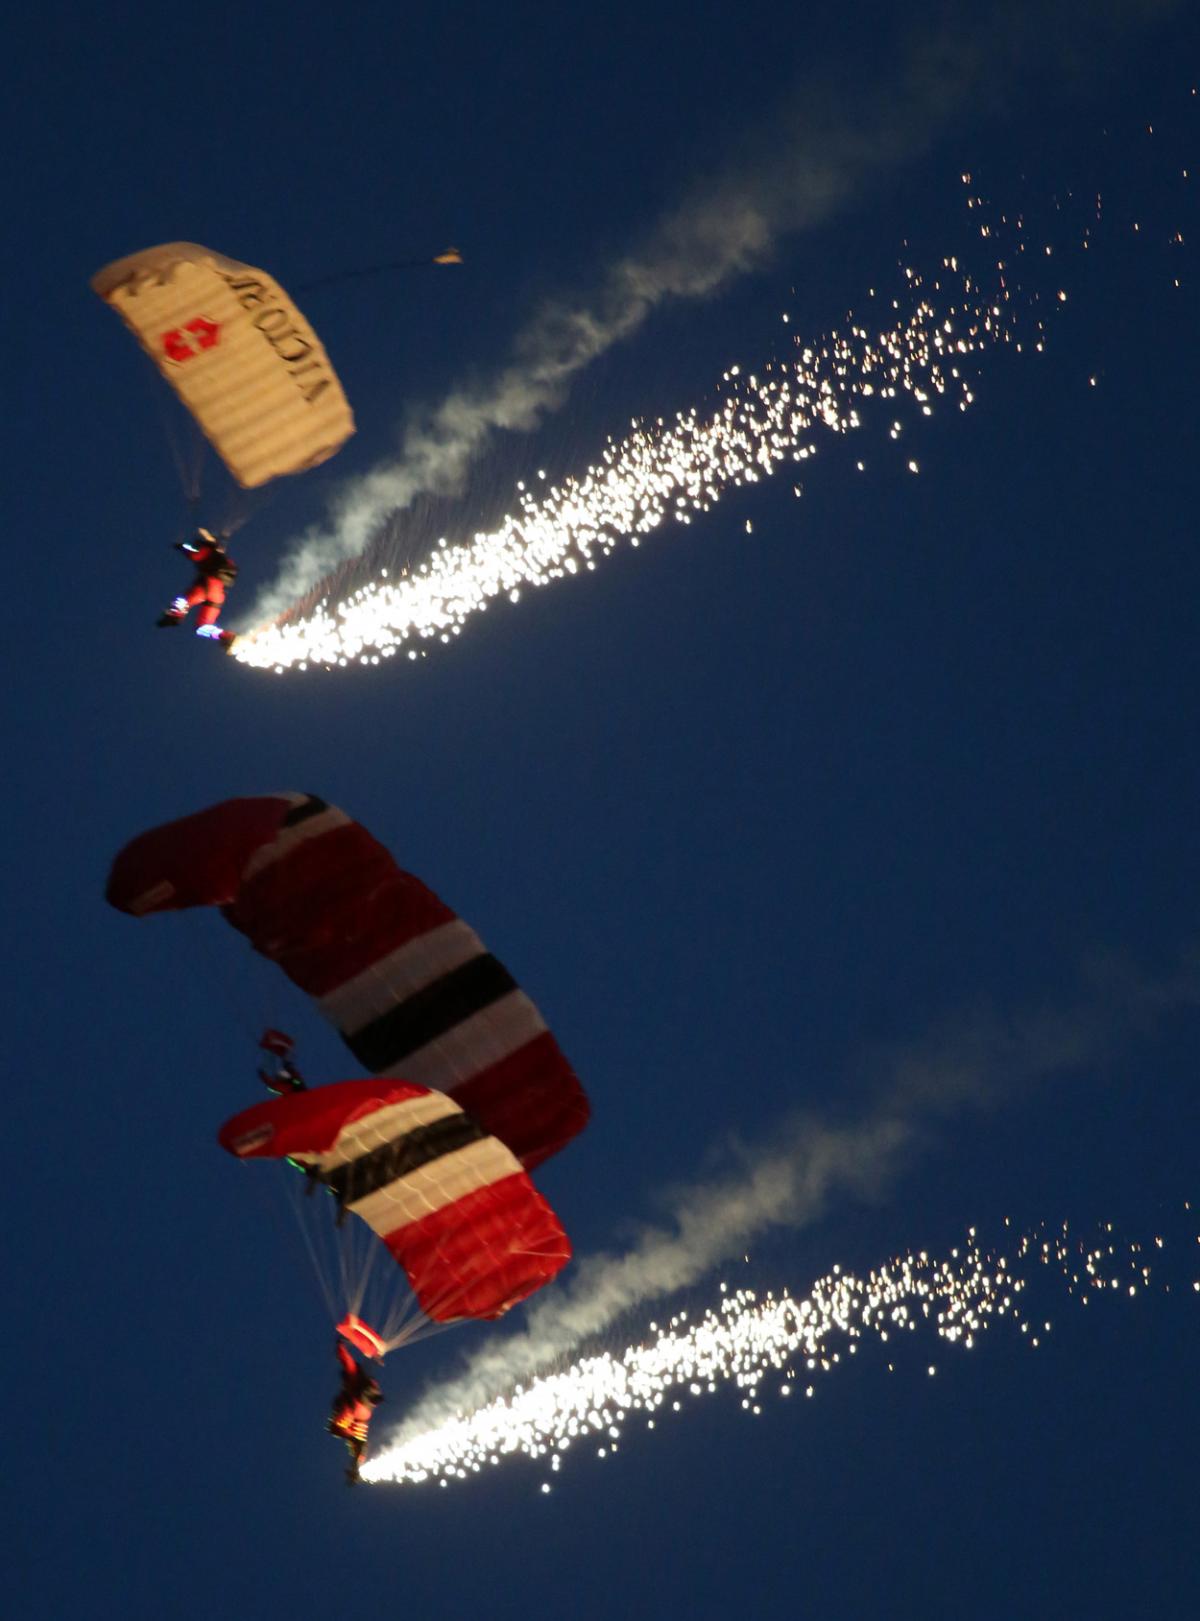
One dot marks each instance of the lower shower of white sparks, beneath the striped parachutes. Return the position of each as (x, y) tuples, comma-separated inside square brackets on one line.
[(776, 1348)]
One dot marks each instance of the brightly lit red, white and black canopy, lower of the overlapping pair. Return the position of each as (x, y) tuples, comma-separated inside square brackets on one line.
[(448, 1200)]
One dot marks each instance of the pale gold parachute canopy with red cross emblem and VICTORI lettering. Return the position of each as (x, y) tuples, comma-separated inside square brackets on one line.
[(238, 353)]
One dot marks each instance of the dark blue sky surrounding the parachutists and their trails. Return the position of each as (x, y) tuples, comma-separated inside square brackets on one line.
[(748, 815)]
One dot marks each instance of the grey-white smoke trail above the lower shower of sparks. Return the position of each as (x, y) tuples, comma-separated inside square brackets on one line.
[(979, 1064)]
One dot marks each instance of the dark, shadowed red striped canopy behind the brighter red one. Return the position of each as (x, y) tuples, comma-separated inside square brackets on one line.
[(409, 985)]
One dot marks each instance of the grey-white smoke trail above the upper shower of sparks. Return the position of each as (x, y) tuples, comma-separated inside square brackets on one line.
[(823, 152)]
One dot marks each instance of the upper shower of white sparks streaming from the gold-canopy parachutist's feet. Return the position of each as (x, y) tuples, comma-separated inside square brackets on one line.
[(927, 354)]
